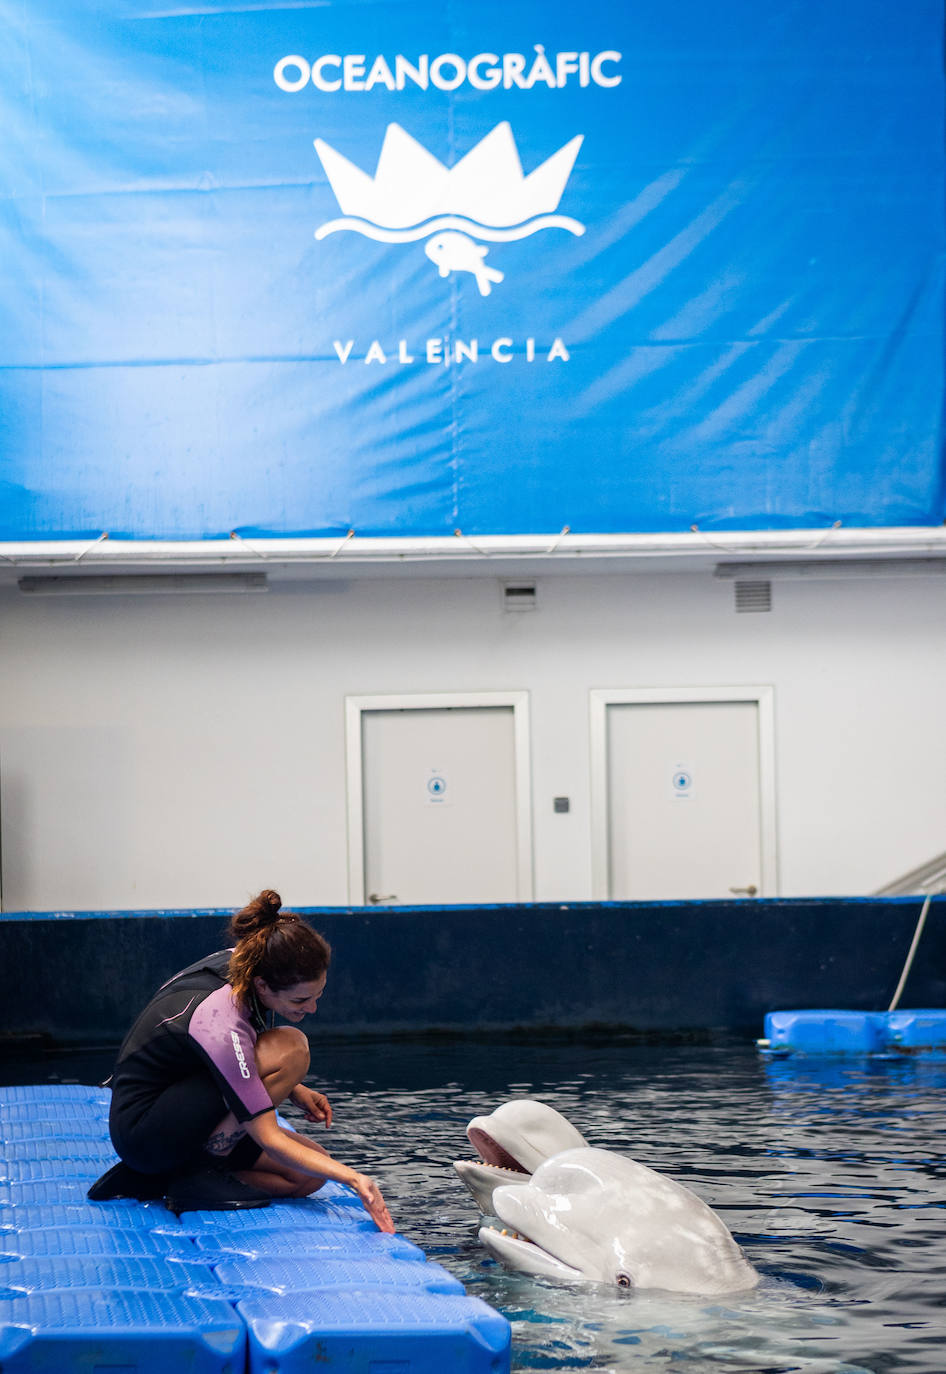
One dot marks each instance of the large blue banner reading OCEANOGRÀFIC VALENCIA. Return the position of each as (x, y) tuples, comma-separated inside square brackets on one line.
[(505, 269)]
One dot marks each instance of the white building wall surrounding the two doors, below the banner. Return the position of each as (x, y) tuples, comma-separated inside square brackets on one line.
[(164, 752)]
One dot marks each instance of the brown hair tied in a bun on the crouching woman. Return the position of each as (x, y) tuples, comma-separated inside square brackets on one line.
[(274, 945)]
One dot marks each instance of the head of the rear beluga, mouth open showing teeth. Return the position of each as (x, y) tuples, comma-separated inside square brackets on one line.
[(511, 1144)]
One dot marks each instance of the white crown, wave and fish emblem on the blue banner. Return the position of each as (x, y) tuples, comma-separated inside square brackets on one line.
[(485, 196)]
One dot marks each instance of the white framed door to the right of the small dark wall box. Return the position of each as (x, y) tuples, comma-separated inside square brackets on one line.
[(684, 800)]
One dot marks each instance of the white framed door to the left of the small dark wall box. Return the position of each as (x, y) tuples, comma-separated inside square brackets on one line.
[(441, 810)]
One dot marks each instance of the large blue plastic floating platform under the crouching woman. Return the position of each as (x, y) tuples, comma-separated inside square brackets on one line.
[(130, 1287)]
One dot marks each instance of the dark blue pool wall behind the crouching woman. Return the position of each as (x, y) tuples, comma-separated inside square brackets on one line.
[(80, 978)]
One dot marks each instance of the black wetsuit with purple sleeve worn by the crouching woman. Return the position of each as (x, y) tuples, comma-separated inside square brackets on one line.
[(185, 1064)]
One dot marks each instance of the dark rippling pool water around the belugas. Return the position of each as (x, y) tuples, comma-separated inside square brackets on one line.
[(830, 1174)]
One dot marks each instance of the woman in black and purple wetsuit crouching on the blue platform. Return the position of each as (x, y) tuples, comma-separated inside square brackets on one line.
[(203, 1071)]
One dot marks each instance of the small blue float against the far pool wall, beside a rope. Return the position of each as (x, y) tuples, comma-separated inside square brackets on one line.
[(856, 1033)]
